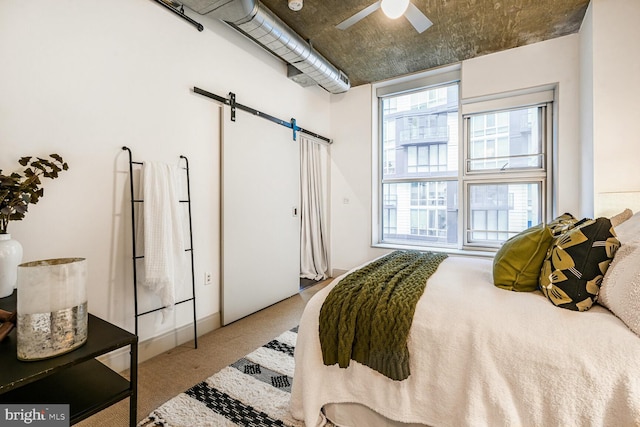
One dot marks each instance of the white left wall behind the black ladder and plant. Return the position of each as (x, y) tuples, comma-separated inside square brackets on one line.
[(84, 78)]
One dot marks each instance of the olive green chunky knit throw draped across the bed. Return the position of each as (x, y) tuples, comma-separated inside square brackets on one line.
[(367, 316)]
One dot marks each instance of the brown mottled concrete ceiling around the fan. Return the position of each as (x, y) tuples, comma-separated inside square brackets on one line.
[(378, 48)]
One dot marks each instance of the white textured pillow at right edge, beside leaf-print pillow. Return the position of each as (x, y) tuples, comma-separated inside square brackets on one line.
[(620, 288)]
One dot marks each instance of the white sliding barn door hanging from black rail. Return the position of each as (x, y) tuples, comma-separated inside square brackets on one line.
[(260, 215)]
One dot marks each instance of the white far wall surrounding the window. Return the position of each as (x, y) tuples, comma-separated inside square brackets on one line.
[(550, 62)]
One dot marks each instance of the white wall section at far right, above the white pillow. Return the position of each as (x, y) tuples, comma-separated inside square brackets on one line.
[(616, 91)]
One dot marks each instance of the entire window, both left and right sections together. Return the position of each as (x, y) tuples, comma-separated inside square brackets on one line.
[(460, 176)]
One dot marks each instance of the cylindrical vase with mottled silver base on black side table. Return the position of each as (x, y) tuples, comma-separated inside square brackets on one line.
[(52, 307)]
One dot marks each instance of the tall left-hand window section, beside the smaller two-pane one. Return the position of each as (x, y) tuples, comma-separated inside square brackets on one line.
[(420, 138)]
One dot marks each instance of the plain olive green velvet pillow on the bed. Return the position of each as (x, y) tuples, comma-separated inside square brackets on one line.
[(516, 266)]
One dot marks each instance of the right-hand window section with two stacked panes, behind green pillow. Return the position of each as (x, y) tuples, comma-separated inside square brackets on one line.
[(505, 174)]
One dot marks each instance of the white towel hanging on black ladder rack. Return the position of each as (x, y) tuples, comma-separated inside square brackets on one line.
[(164, 247)]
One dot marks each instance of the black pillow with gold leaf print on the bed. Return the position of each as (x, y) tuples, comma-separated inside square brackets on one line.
[(576, 263)]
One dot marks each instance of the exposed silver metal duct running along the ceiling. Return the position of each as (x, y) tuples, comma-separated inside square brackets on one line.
[(254, 20)]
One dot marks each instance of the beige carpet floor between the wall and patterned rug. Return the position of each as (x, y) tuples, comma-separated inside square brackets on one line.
[(170, 373)]
